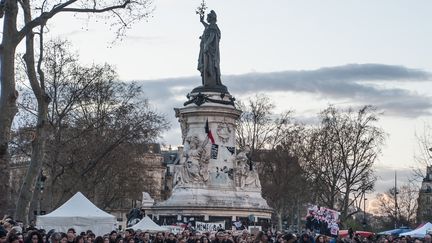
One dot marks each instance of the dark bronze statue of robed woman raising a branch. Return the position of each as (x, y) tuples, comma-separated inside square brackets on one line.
[(209, 59)]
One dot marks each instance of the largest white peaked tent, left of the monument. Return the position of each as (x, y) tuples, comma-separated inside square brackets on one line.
[(78, 213)]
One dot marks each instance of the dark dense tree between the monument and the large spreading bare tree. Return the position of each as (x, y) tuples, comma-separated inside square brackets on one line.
[(283, 180)]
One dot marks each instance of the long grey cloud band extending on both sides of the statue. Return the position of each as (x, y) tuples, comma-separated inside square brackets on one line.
[(357, 83)]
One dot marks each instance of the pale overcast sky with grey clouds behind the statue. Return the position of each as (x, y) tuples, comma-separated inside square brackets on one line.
[(303, 54)]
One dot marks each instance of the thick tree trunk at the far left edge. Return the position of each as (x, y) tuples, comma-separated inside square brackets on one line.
[(8, 97)]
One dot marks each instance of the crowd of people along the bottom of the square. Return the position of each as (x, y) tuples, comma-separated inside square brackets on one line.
[(14, 232)]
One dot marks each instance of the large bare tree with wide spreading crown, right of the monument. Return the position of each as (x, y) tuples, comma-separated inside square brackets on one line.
[(340, 155)]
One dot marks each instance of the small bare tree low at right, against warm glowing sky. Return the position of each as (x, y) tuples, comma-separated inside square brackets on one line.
[(405, 211)]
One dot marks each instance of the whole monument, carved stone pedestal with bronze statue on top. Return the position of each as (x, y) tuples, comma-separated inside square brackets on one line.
[(212, 178)]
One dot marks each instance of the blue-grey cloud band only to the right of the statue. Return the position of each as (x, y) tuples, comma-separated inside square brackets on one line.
[(353, 81)]
